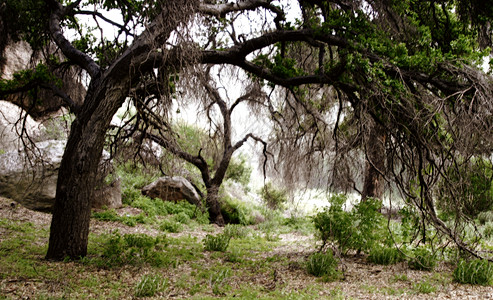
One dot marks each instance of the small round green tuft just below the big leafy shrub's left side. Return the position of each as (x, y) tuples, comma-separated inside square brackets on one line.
[(323, 265)]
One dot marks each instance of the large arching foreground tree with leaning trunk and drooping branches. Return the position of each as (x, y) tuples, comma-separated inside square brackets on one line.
[(410, 67)]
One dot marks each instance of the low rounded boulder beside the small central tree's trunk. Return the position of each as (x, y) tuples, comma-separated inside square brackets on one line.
[(172, 189)]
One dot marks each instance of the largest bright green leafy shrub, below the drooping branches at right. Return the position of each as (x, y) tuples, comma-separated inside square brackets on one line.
[(359, 229)]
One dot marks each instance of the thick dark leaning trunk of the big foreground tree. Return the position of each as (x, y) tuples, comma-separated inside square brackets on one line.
[(77, 175)]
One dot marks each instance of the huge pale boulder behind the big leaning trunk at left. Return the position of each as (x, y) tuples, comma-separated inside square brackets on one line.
[(30, 178)]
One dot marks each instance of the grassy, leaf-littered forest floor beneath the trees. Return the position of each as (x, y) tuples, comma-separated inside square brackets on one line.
[(256, 267)]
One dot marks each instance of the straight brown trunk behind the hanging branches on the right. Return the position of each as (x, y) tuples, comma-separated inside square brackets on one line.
[(373, 186)]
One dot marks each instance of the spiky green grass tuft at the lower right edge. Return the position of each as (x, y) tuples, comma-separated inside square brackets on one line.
[(477, 271)]
